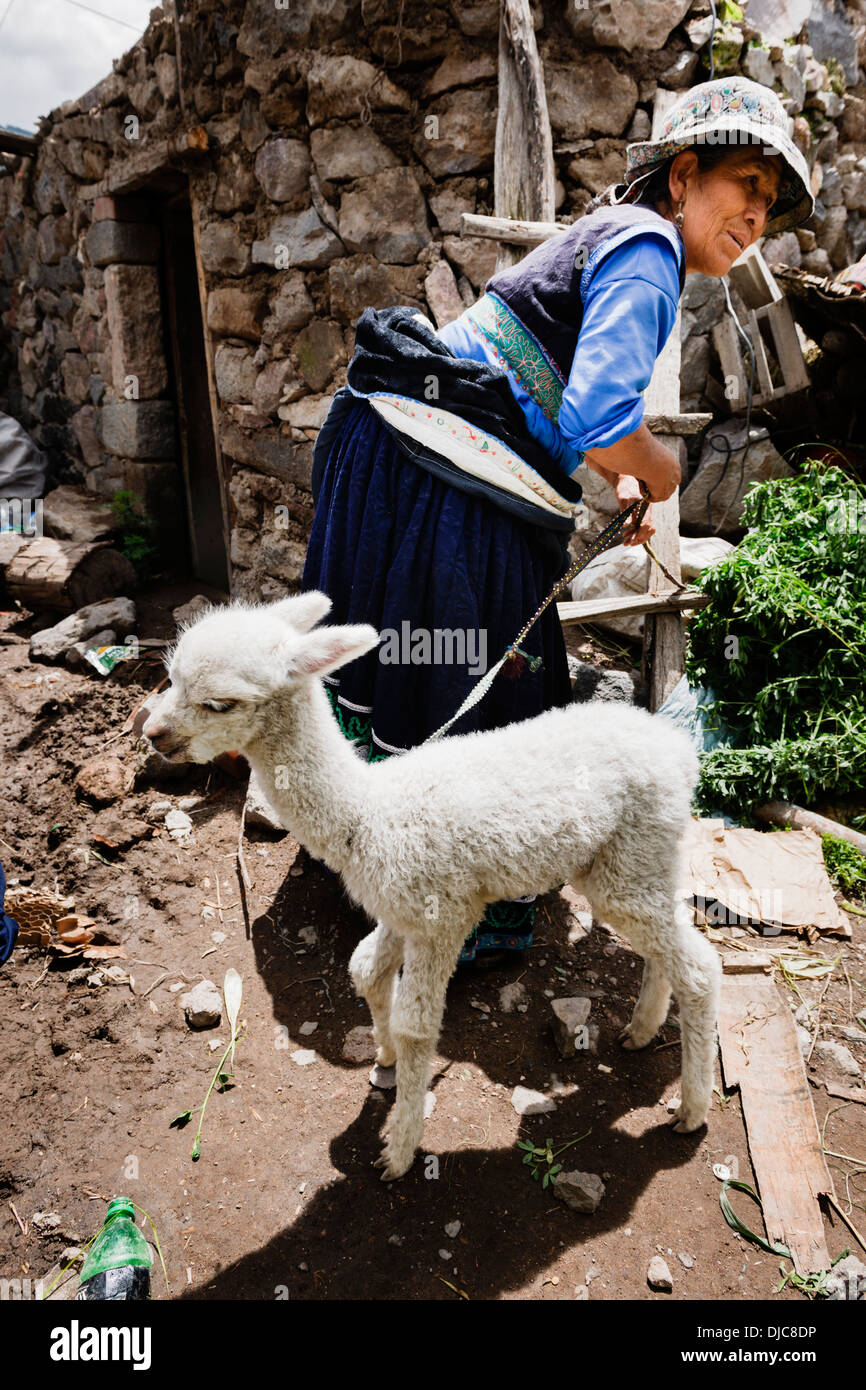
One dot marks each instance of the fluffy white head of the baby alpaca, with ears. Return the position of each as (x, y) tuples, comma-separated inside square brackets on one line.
[(231, 662)]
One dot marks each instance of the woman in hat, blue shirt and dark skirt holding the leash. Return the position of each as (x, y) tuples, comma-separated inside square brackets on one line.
[(446, 473)]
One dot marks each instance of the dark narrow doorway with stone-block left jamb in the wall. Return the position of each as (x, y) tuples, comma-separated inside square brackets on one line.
[(161, 425)]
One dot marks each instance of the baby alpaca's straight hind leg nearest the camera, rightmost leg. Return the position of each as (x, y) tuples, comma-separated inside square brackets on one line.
[(694, 971)]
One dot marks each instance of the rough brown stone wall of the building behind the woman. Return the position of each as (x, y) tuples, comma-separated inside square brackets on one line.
[(330, 158)]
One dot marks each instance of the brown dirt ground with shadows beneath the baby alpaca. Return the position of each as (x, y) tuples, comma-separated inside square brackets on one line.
[(284, 1202)]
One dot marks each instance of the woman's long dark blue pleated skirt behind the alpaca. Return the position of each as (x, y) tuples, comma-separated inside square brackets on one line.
[(450, 579)]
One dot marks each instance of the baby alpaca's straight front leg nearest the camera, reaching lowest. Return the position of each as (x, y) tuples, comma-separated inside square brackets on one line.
[(416, 1020)]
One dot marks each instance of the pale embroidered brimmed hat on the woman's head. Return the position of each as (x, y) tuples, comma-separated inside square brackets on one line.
[(730, 112)]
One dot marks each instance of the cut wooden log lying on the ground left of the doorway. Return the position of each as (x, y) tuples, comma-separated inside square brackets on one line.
[(65, 576)]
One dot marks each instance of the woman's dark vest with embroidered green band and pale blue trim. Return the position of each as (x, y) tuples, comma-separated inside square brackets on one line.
[(533, 312)]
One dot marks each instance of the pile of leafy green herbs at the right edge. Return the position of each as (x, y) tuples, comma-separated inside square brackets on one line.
[(783, 647)]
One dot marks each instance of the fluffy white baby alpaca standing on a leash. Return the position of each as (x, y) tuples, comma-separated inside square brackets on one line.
[(596, 796)]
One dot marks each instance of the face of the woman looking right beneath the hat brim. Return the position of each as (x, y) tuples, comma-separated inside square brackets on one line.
[(725, 209)]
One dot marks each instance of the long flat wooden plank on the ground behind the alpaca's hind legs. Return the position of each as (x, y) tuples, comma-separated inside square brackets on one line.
[(761, 1056)]
